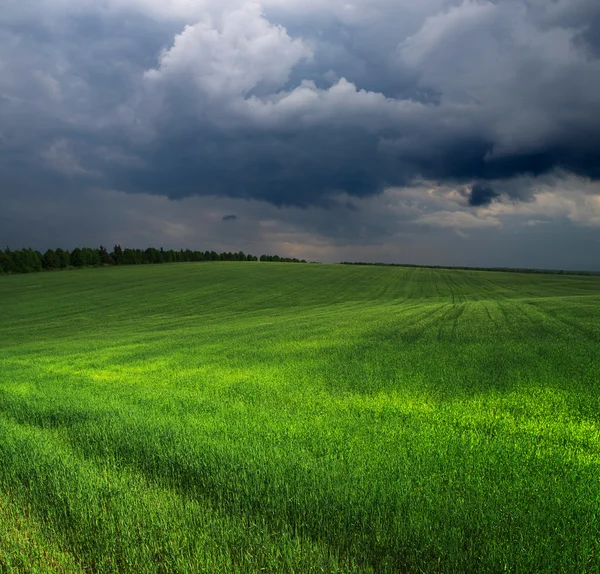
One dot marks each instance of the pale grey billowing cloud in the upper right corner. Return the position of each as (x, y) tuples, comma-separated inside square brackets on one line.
[(524, 85)]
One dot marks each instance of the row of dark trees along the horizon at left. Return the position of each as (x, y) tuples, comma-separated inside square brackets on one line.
[(30, 261)]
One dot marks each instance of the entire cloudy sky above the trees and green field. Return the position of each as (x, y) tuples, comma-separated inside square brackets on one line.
[(438, 132)]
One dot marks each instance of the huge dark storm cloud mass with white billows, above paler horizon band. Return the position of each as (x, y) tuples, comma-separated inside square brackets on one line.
[(352, 97)]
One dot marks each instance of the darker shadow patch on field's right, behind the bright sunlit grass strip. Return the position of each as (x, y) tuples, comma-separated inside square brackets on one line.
[(451, 353)]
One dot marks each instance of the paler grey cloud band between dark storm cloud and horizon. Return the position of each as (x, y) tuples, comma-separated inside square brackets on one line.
[(416, 225)]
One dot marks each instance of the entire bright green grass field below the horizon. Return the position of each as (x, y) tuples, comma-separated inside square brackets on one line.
[(263, 417)]
